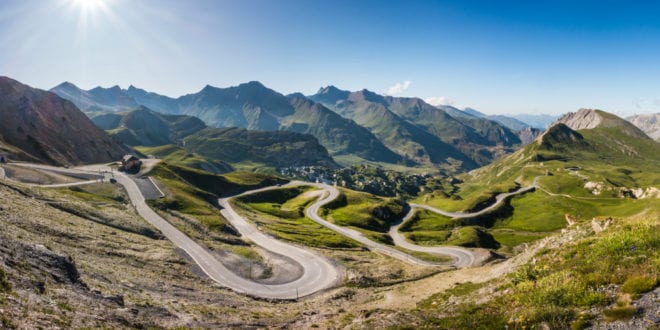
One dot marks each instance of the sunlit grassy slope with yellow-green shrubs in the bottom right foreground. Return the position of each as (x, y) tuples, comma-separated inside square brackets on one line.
[(593, 278)]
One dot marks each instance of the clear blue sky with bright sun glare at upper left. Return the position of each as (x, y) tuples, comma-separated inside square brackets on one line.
[(500, 57)]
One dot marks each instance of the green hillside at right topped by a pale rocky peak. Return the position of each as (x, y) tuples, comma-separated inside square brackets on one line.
[(607, 170)]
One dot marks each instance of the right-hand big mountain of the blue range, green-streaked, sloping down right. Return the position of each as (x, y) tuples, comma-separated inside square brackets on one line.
[(419, 131)]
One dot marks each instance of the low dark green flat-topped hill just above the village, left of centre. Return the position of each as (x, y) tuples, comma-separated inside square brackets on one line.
[(273, 149)]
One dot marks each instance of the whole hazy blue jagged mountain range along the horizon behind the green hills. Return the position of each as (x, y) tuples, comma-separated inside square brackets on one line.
[(357, 126)]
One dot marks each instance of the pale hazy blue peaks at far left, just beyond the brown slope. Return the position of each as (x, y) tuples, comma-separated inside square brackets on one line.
[(96, 99)]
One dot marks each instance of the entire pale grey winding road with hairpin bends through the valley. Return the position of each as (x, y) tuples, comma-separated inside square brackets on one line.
[(318, 272)]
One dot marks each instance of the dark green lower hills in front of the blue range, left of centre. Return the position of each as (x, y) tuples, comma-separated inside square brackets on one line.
[(210, 148)]
